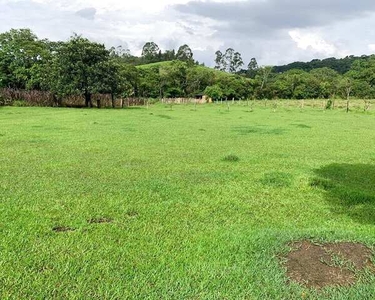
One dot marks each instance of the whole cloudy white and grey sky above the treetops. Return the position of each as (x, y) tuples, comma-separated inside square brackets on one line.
[(273, 31)]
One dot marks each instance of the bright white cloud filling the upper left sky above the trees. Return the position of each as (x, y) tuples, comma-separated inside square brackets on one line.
[(112, 22)]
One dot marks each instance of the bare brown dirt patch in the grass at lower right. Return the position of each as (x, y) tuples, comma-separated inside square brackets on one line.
[(318, 266)]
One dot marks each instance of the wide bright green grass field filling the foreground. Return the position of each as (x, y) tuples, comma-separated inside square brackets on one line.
[(186, 222)]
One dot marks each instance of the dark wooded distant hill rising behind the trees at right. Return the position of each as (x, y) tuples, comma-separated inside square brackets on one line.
[(341, 65)]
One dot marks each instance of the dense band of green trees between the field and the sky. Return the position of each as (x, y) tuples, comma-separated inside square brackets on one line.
[(82, 67)]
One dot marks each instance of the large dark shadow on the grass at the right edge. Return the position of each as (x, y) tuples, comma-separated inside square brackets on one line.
[(350, 189)]
